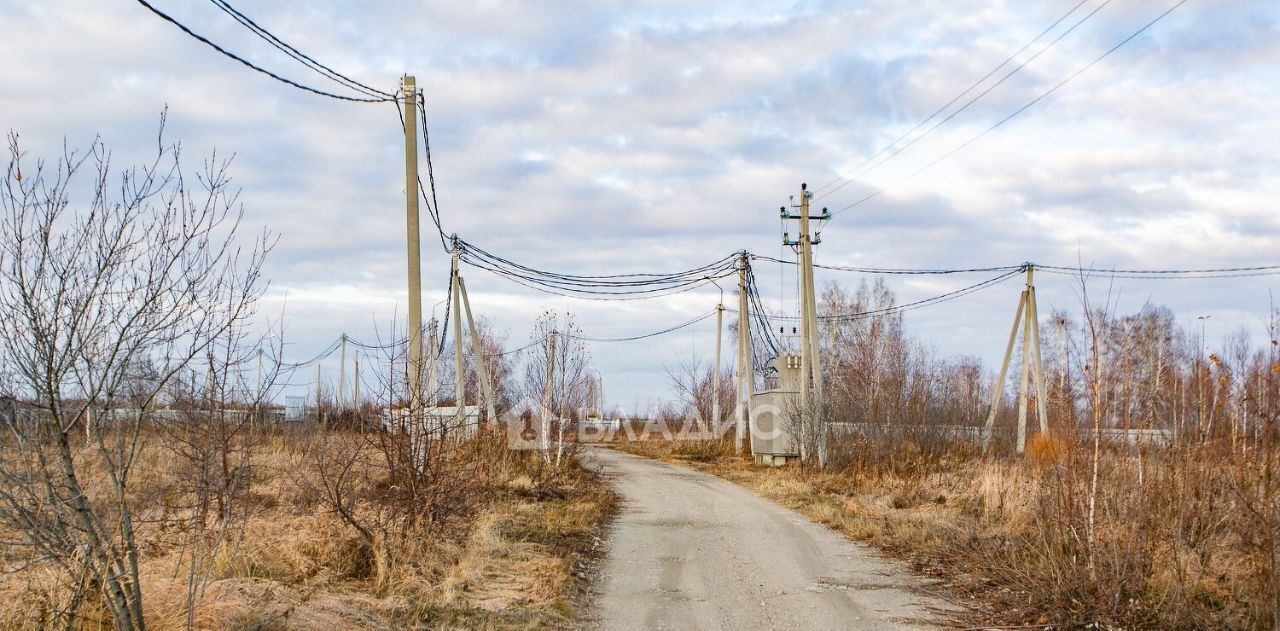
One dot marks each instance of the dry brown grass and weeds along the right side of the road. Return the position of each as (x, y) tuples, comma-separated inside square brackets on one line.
[(1181, 538)]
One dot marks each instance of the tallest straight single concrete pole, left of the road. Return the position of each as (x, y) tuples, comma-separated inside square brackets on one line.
[(409, 93)]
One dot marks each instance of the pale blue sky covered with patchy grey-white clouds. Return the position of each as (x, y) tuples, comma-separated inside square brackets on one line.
[(606, 138)]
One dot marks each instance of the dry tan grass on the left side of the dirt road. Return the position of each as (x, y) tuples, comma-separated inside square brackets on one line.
[(514, 565)]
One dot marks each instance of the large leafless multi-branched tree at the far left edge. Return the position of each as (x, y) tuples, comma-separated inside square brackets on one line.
[(102, 307)]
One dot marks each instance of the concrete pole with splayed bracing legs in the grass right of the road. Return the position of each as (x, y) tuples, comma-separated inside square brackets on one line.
[(1032, 368)]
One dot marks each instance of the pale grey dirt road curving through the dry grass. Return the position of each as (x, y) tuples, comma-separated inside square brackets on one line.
[(692, 551)]
